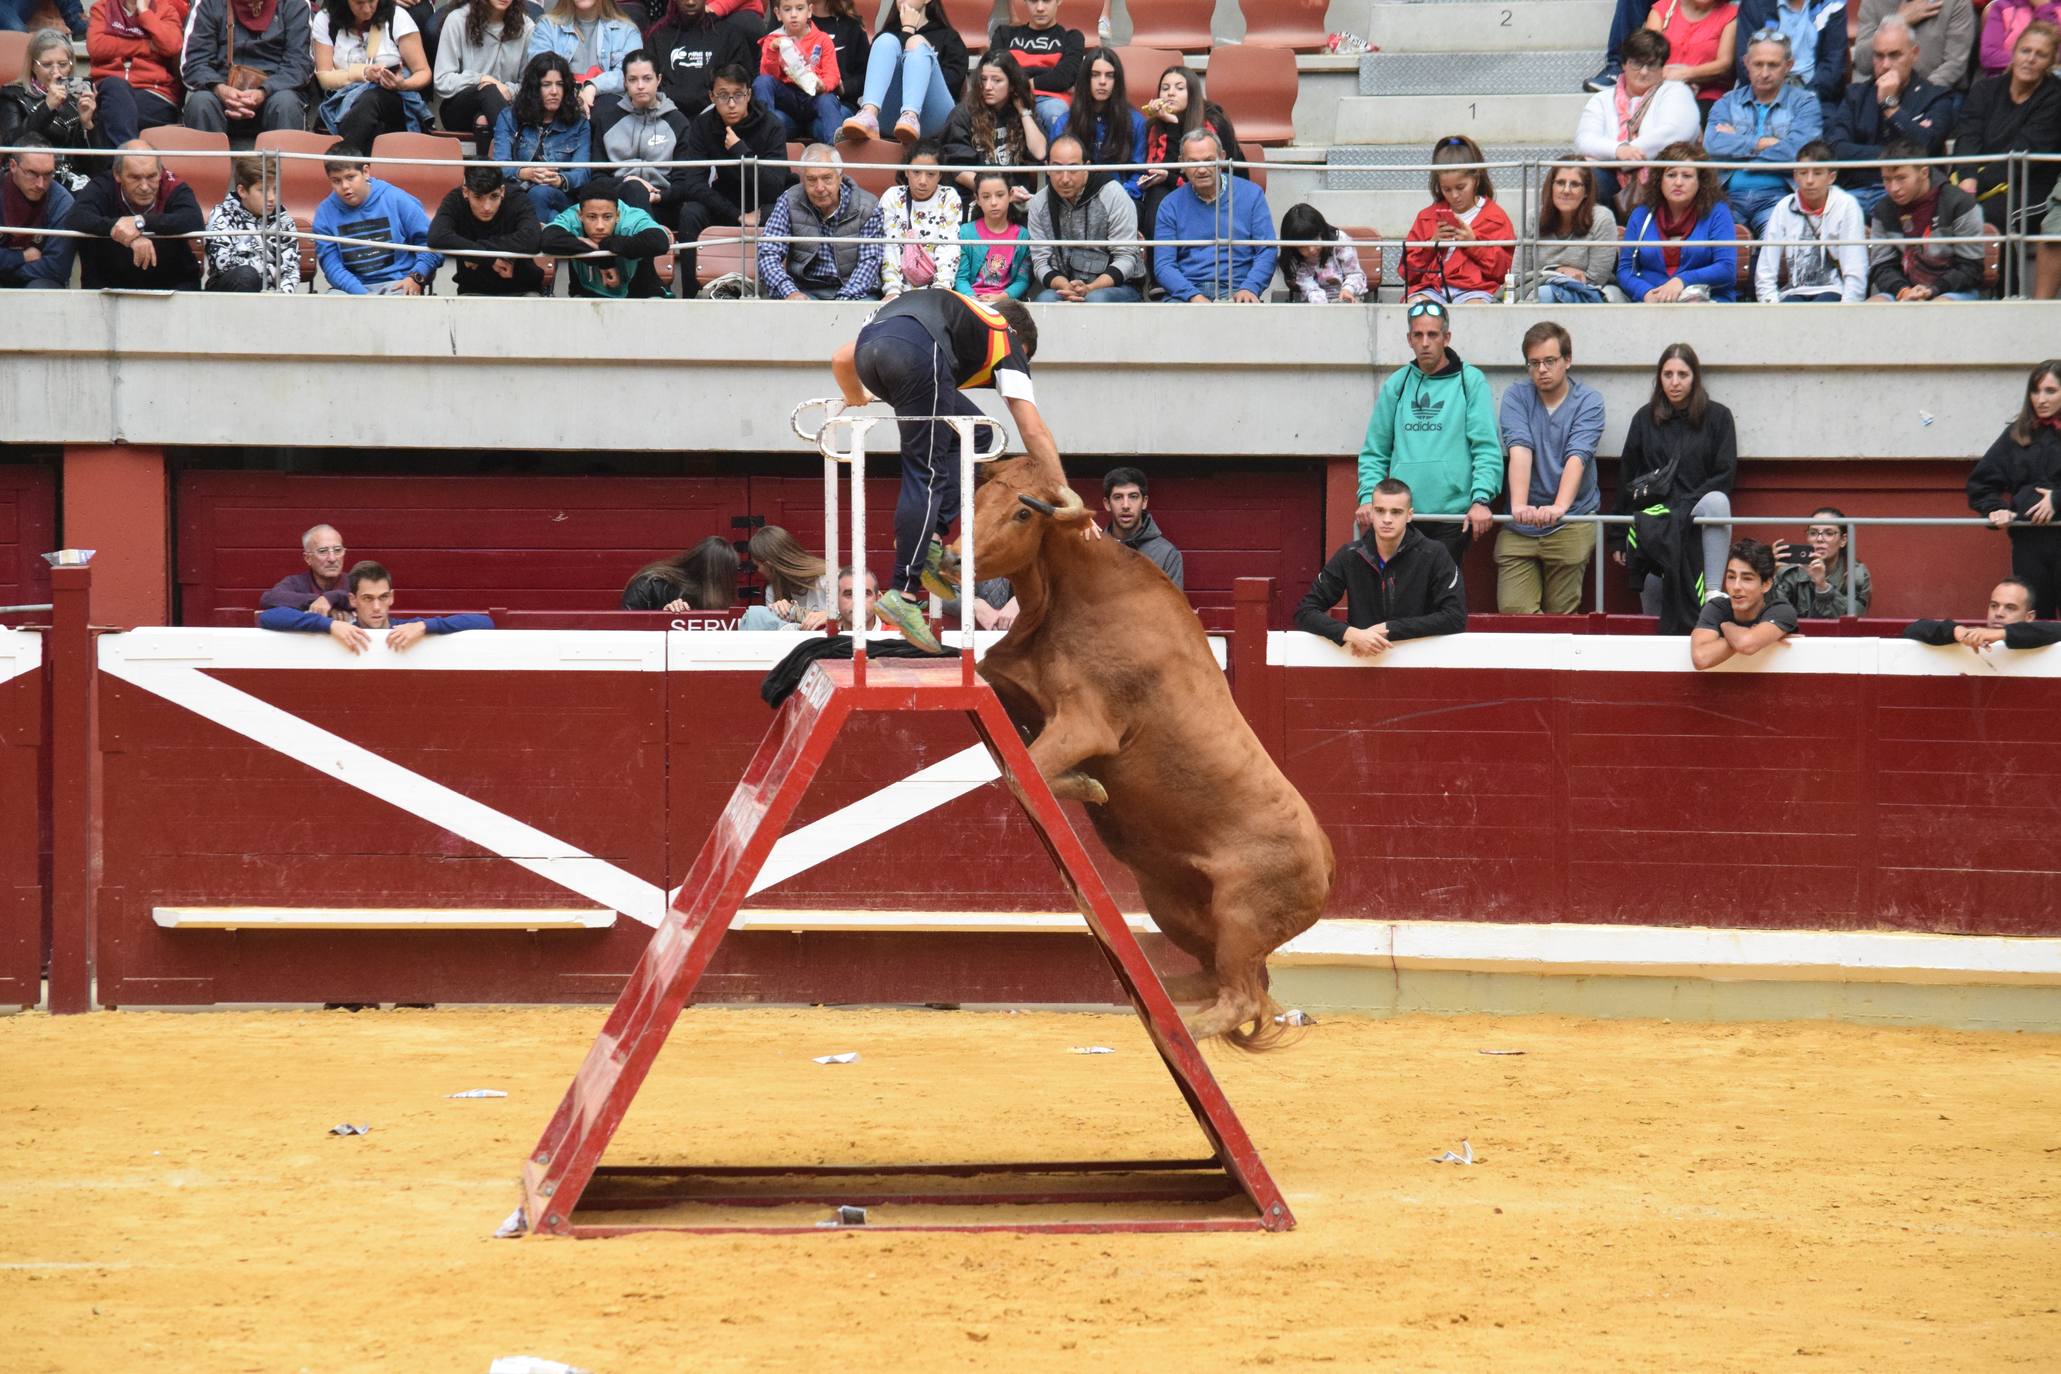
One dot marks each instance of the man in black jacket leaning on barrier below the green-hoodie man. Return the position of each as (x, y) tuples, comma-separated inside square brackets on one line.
[(1396, 584)]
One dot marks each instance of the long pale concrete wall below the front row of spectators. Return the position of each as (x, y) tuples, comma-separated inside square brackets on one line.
[(1153, 380)]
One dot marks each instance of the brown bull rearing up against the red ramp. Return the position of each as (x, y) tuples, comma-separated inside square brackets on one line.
[(1110, 673)]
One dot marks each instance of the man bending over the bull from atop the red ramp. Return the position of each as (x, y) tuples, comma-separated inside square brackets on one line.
[(918, 353)]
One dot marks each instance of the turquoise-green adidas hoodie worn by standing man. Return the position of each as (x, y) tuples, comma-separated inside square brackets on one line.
[(1440, 436)]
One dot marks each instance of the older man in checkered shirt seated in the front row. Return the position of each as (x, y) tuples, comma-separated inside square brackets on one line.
[(797, 263)]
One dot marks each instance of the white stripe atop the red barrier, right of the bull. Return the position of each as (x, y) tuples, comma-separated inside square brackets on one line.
[(1652, 654)]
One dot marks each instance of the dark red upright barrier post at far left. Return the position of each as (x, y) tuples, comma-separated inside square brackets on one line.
[(73, 802)]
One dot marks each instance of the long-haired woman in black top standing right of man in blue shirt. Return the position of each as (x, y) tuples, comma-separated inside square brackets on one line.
[(1681, 454)]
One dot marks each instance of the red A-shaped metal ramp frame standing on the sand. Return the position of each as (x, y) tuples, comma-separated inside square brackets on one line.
[(566, 1171)]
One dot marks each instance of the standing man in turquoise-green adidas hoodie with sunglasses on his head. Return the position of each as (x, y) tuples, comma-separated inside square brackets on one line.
[(1435, 427)]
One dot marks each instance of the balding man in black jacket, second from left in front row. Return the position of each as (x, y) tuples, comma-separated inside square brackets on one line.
[(139, 213)]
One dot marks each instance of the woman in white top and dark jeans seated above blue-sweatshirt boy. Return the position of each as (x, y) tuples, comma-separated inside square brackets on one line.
[(370, 61)]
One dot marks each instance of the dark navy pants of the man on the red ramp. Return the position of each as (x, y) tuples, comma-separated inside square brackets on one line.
[(902, 366)]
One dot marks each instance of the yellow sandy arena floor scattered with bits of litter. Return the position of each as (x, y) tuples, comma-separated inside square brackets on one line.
[(1650, 1196)]
